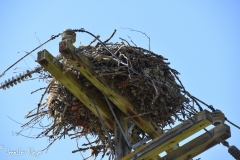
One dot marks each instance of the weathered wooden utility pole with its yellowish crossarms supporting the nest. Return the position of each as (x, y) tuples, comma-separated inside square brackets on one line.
[(113, 118)]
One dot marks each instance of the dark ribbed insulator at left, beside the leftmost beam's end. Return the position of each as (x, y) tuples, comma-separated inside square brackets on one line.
[(18, 78)]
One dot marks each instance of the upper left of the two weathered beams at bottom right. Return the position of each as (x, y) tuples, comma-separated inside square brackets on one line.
[(172, 137)]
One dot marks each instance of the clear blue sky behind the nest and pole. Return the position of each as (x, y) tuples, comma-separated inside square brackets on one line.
[(201, 39)]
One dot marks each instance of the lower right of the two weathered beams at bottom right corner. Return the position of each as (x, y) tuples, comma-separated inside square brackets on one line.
[(201, 143)]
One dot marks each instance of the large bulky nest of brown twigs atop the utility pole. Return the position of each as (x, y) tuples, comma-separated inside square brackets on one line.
[(142, 76)]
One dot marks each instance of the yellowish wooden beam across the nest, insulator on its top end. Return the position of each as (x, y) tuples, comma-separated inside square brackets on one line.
[(103, 84)]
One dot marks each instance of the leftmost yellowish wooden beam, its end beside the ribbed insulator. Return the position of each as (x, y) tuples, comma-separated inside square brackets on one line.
[(74, 85)]
